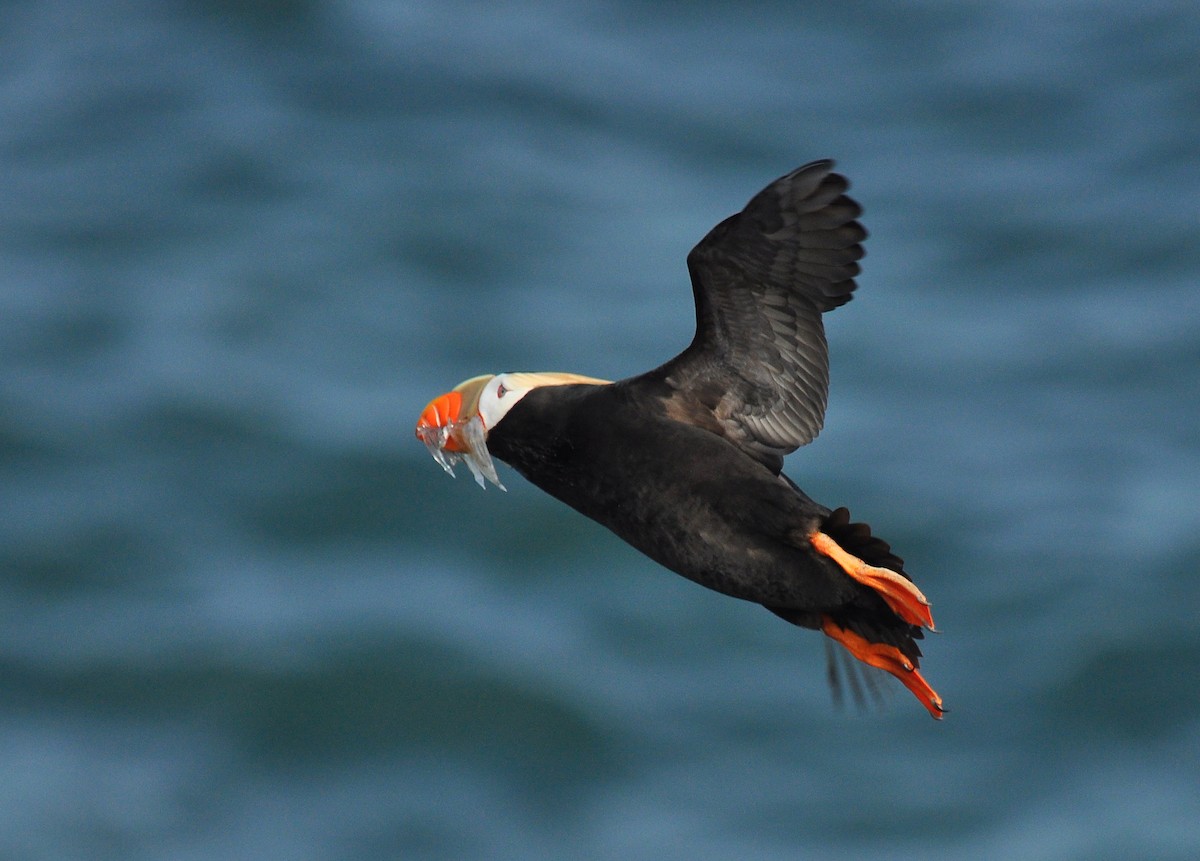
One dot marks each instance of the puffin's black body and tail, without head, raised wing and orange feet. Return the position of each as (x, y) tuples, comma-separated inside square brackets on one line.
[(692, 502)]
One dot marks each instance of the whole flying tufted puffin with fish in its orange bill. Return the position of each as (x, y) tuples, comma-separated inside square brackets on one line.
[(685, 462)]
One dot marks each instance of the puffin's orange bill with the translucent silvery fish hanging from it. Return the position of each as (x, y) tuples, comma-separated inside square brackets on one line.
[(453, 431)]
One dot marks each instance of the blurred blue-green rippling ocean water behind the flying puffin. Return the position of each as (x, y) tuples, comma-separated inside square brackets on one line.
[(244, 616)]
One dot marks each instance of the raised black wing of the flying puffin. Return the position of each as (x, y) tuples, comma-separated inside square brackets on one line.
[(758, 371)]
